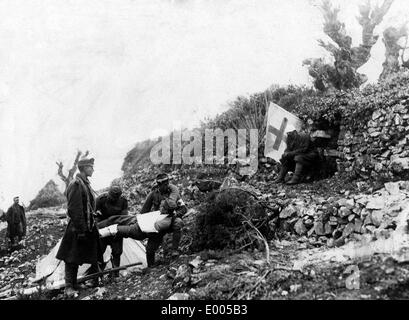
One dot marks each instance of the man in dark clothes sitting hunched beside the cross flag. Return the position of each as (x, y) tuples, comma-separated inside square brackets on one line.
[(301, 153)]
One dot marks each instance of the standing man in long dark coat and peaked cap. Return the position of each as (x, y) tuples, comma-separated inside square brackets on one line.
[(80, 243)]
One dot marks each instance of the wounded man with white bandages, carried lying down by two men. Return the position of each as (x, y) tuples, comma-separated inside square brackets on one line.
[(151, 225)]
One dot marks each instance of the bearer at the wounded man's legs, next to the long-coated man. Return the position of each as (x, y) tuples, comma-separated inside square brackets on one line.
[(111, 204)]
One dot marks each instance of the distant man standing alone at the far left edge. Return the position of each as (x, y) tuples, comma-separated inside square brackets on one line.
[(16, 222)]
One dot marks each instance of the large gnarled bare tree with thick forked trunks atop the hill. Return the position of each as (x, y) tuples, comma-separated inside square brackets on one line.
[(342, 74)]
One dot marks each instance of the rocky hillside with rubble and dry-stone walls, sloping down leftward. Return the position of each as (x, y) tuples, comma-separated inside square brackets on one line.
[(267, 240)]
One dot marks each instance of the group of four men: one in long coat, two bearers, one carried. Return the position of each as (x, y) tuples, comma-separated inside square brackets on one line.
[(98, 222)]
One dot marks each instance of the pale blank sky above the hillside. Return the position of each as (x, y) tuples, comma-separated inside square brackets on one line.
[(100, 75)]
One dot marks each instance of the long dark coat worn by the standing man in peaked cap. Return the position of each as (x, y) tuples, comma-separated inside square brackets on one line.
[(80, 243)]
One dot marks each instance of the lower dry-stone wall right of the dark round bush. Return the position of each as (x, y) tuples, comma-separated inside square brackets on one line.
[(334, 220)]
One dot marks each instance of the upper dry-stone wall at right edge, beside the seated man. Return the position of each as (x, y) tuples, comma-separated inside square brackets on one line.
[(381, 147)]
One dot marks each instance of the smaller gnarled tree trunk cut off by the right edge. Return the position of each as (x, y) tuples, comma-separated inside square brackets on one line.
[(394, 51)]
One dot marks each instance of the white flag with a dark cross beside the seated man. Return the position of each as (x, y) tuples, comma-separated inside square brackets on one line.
[(279, 122)]
